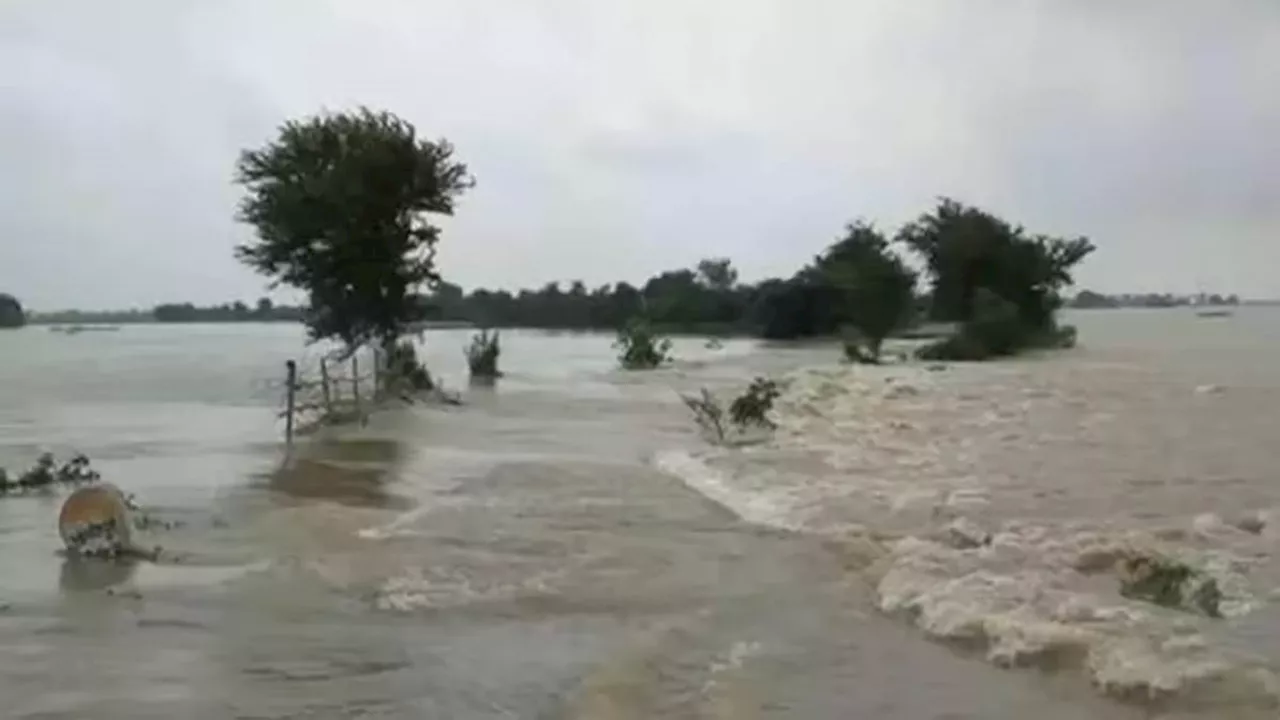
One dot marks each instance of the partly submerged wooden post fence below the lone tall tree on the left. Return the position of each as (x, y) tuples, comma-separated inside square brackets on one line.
[(333, 394)]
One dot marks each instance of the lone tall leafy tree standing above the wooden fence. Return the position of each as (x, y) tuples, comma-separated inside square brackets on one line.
[(341, 204)]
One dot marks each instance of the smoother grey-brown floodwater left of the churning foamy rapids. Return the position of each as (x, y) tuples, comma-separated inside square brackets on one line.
[(516, 558)]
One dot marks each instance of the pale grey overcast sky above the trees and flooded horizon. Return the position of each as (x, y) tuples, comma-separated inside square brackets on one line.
[(612, 139)]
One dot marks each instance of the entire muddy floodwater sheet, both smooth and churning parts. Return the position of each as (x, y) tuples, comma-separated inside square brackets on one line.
[(565, 546)]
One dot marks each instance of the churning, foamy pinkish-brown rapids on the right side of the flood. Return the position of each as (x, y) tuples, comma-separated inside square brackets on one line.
[(921, 455)]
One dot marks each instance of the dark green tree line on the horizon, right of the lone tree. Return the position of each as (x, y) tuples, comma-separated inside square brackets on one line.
[(860, 284)]
